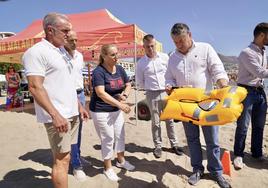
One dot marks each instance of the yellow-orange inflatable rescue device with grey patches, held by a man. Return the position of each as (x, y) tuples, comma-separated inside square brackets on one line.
[(215, 107)]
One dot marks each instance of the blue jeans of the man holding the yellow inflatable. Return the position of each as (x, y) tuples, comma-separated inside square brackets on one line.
[(211, 133)]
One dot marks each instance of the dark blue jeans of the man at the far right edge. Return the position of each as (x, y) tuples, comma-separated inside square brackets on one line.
[(255, 107)]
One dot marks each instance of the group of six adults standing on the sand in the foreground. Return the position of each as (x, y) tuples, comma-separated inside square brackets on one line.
[(53, 68)]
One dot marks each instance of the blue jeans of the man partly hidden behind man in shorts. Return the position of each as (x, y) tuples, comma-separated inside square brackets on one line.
[(75, 148)]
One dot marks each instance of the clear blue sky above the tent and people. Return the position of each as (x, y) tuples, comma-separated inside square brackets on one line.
[(226, 24)]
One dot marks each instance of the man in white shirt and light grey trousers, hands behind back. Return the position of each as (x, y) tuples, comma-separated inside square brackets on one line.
[(150, 72)]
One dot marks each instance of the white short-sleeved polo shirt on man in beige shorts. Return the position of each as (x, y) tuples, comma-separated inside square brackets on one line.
[(44, 59)]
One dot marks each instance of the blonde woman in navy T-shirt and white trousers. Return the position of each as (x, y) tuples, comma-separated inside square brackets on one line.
[(111, 88)]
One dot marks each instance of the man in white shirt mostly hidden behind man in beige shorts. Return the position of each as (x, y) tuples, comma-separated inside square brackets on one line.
[(78, 65)]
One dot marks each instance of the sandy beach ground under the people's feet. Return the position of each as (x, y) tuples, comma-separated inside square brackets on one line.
[(25, 157)]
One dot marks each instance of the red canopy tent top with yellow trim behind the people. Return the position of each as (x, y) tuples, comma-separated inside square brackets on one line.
[(93, 28)]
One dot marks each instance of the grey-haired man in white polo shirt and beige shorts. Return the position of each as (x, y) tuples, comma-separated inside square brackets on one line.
[(51, 82)]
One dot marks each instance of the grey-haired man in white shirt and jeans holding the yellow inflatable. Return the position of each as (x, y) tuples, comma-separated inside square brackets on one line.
[(196, 64)]
